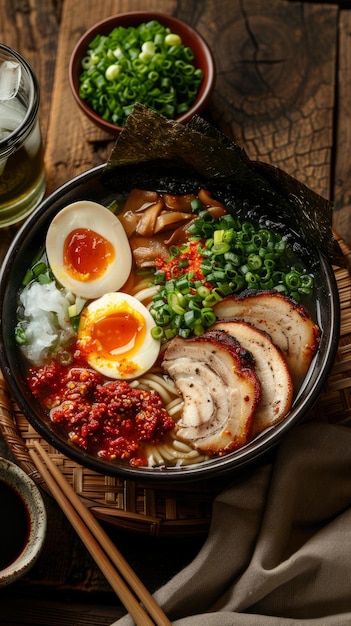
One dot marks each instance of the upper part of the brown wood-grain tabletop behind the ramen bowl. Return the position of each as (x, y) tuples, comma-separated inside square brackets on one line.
[(283, 86)]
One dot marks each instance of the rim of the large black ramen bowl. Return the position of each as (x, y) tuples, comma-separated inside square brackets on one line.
[(218, 467)]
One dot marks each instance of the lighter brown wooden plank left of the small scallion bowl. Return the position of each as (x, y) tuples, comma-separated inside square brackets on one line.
[(66, 153)]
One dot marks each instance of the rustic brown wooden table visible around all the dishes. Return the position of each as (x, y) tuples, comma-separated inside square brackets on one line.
[(283, 92)]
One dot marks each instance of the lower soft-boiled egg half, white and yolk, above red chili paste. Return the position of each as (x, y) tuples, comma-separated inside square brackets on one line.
[(114, 336)]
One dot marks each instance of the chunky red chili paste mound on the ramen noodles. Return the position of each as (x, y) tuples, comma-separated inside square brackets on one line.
[(106, 417)]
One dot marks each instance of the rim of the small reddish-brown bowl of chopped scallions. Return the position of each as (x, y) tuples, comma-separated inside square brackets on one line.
[(205, 90)]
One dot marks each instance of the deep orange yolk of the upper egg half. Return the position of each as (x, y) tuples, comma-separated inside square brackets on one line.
[(87, 254)]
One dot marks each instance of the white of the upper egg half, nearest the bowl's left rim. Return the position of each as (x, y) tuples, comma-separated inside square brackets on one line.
[(95, 217)]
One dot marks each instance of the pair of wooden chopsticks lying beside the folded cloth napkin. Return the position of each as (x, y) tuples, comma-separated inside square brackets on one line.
[(123, 580)]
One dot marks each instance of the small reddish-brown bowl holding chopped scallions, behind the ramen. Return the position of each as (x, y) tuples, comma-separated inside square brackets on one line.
[(202, 60)]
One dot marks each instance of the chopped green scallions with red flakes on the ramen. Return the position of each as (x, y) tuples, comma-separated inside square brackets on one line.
[(223, 257)]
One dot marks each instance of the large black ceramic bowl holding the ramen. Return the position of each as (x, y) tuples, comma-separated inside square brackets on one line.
[(31, 238)]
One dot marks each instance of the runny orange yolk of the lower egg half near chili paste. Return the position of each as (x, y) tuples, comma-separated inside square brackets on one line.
[(119, 333)]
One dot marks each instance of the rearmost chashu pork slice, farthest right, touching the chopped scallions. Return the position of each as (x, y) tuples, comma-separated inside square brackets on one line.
[(288, 323)]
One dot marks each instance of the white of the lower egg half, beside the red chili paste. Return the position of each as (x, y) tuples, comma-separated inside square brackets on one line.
[(117, 364)]
